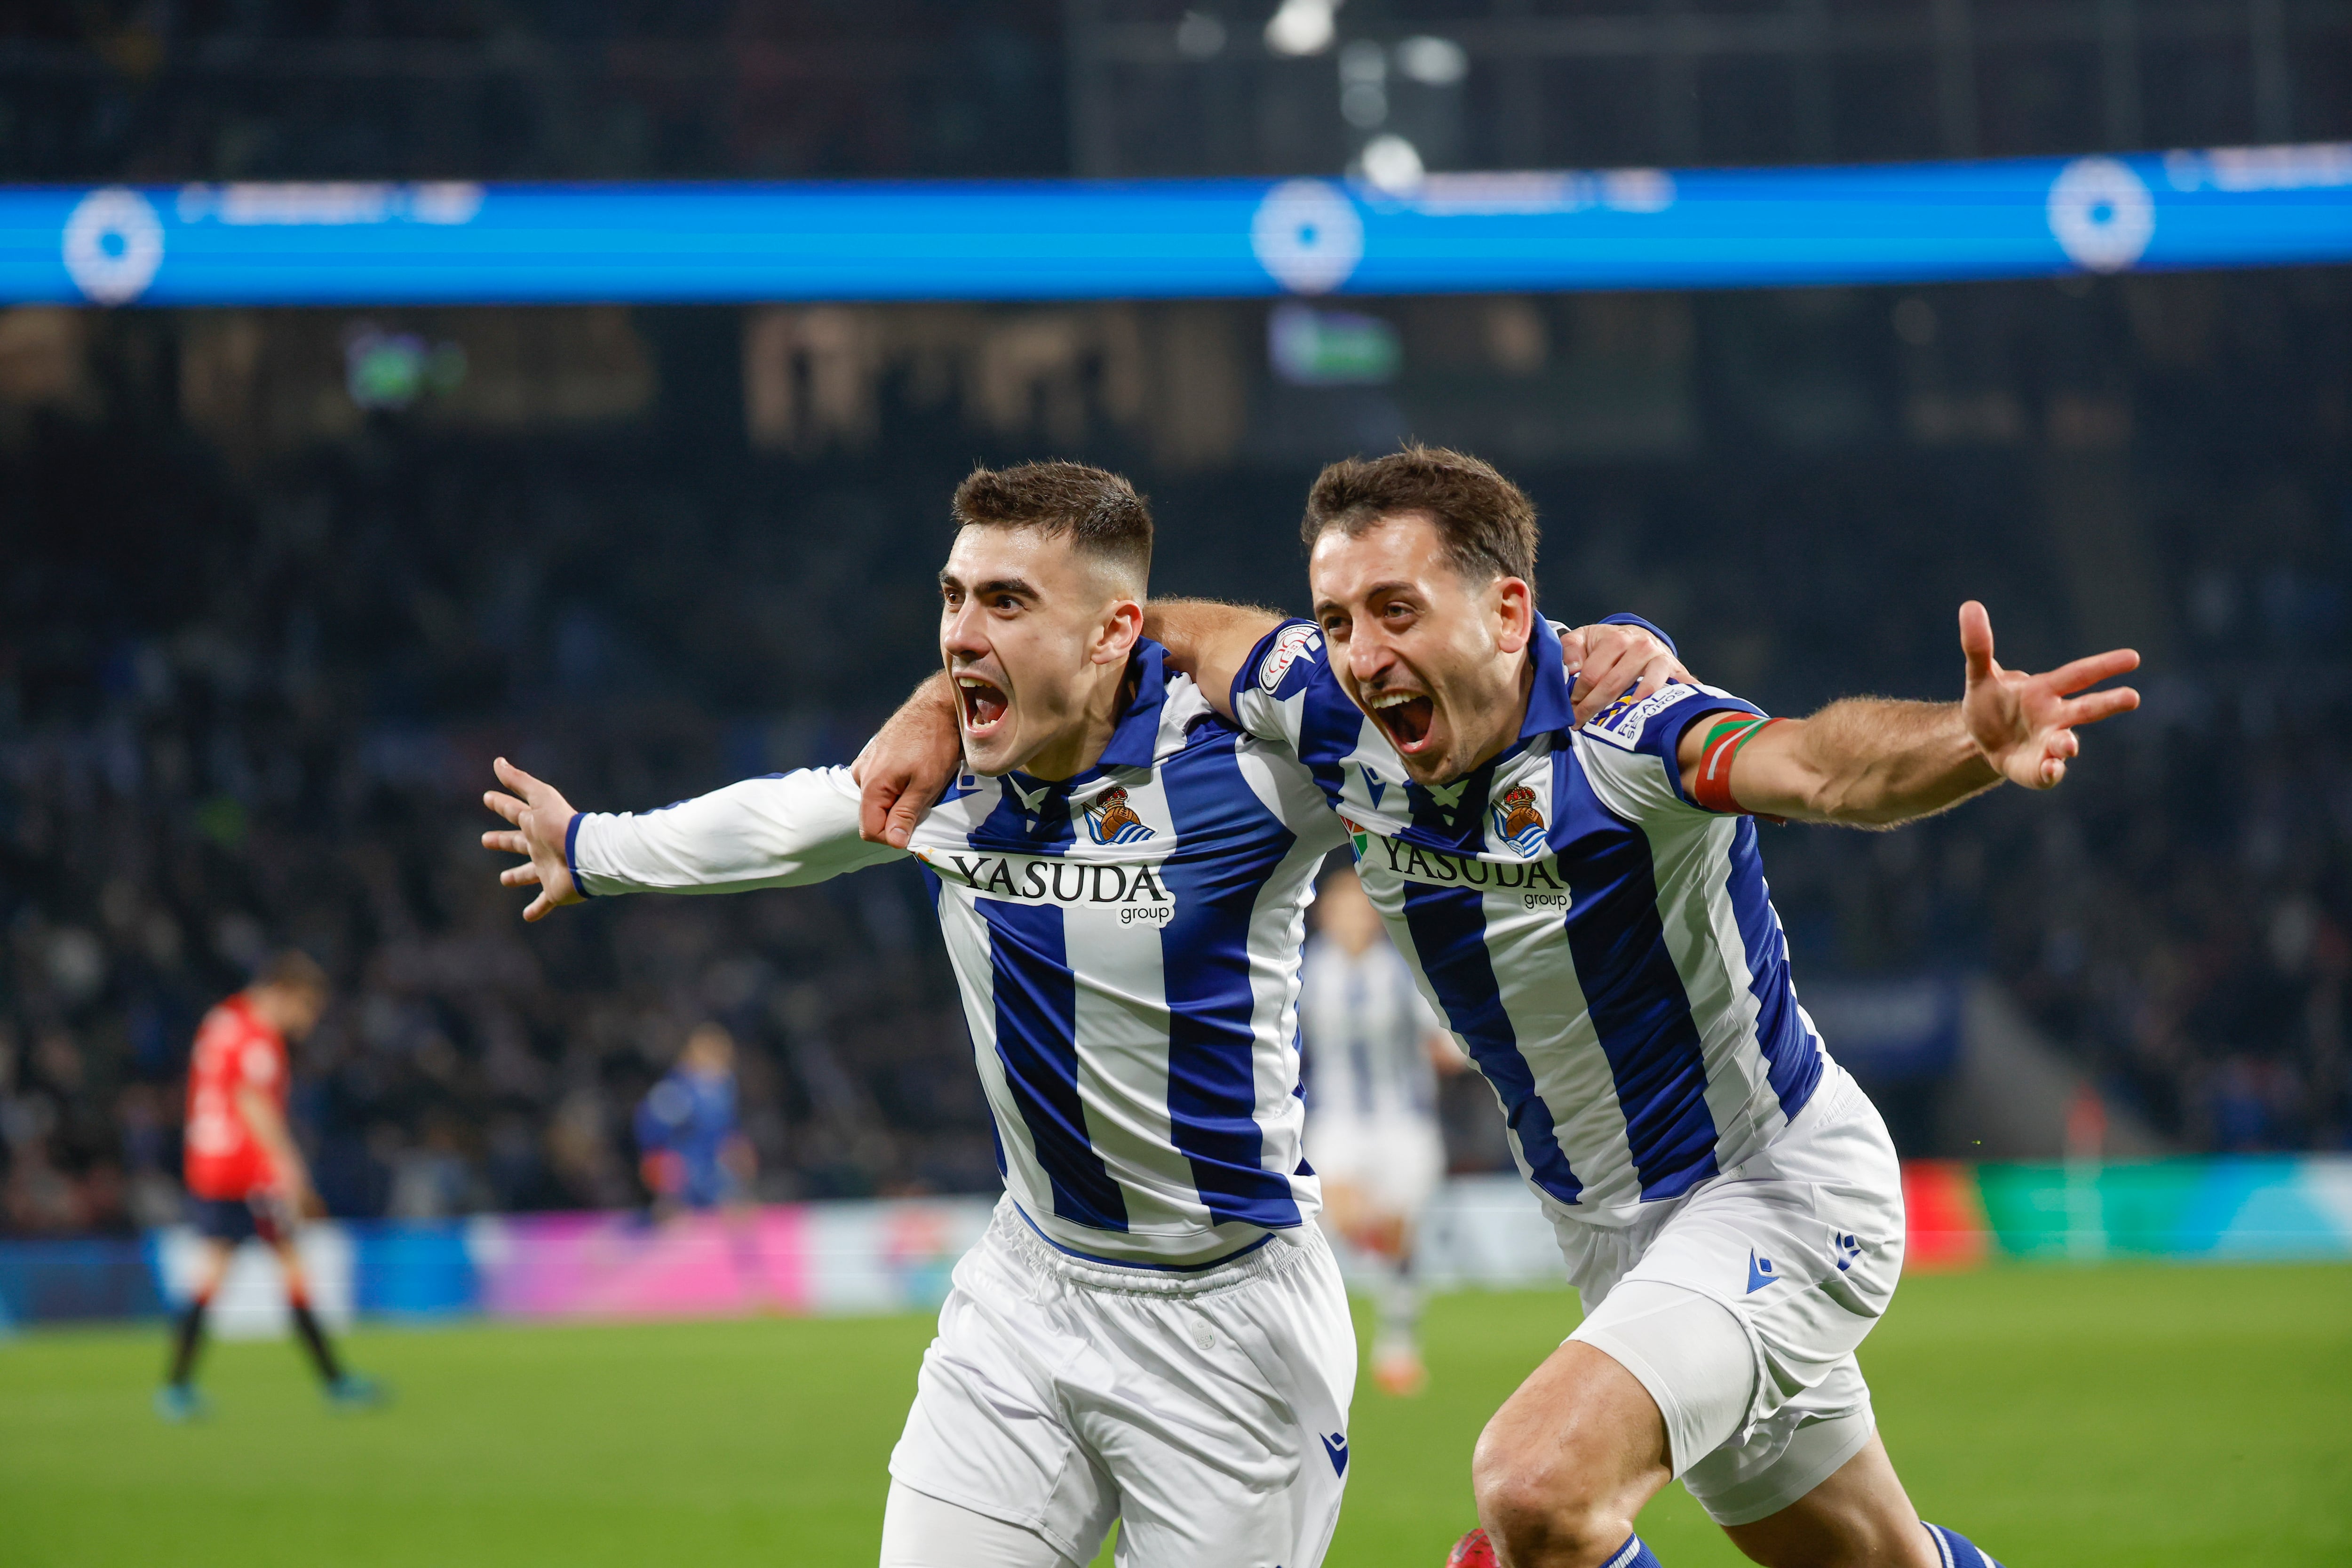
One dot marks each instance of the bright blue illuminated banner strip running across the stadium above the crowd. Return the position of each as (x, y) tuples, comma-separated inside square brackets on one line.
[(1024, 241)]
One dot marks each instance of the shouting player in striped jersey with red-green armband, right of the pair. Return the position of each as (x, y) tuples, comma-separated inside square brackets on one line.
[(1584, 902)]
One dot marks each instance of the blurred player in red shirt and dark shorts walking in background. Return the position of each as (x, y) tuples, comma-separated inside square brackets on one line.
[(246, 1177)]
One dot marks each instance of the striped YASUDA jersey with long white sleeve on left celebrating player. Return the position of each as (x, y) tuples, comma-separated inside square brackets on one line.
[(1128, 953)]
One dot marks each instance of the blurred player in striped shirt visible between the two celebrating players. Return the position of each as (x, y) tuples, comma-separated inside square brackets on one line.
[(1372, 1054)]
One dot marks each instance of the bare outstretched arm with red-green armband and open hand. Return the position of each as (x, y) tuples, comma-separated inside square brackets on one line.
[(1873, 763)]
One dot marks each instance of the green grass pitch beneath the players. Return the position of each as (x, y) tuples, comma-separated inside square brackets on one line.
[(2120, 1416)]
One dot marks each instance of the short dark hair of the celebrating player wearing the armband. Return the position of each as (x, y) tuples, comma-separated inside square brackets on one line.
[(1485, 523)]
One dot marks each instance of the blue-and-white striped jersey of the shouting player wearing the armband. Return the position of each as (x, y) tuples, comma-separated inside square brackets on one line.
[(1598, 944)]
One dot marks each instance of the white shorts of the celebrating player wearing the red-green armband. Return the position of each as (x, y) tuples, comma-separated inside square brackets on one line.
[(1739, 1306)]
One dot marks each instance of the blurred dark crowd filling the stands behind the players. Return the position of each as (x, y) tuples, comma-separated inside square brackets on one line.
[(250, 692)]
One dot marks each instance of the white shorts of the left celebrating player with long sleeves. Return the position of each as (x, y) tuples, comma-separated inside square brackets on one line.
[(1203, 1412)]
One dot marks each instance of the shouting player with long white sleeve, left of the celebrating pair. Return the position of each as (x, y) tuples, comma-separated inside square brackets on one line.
[(1154, 1332)]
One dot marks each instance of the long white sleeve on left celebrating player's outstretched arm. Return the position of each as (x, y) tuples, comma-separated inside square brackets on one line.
[(784, 831)]
